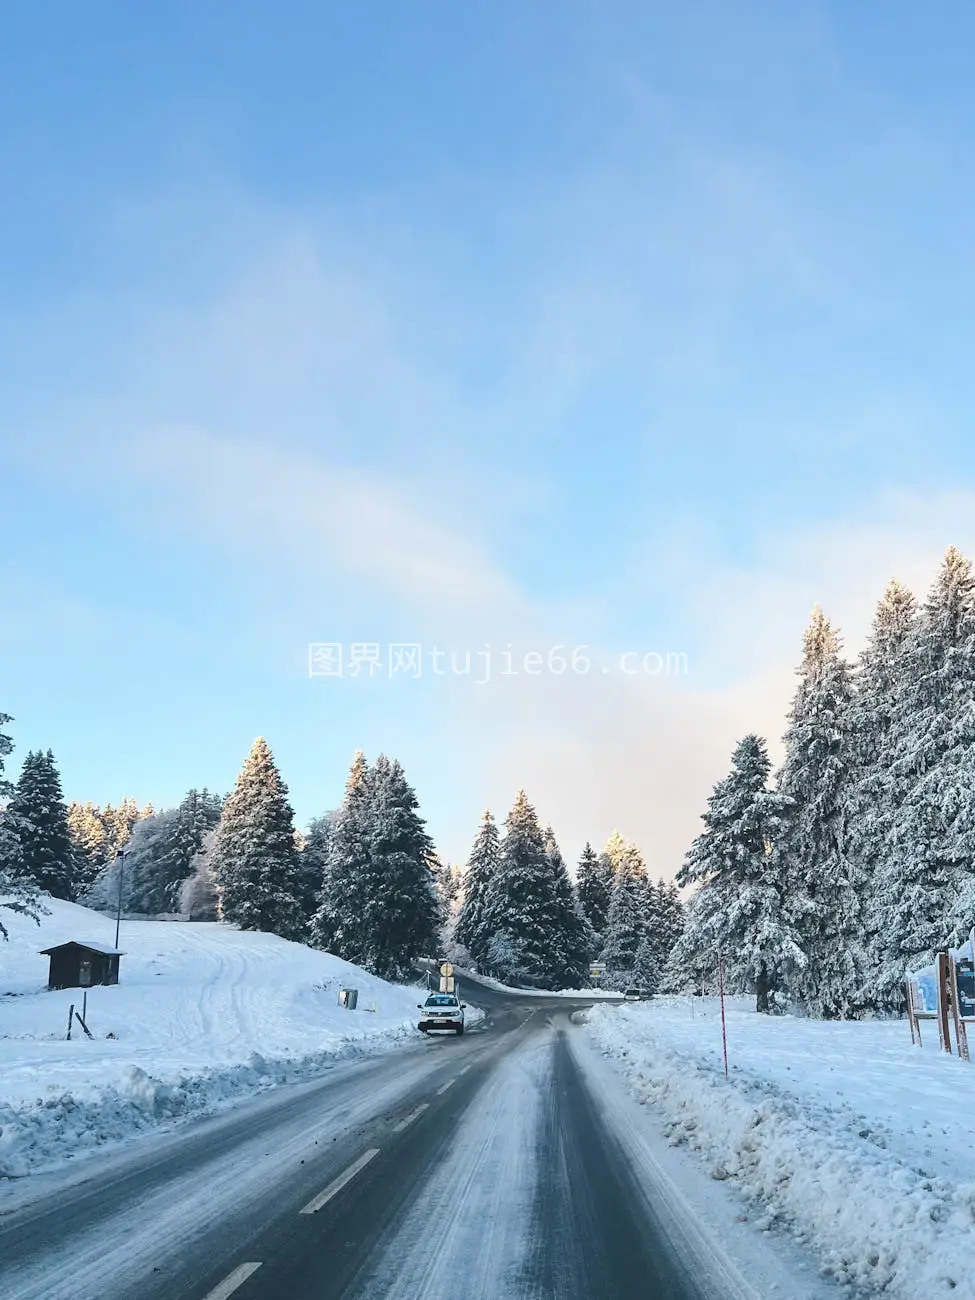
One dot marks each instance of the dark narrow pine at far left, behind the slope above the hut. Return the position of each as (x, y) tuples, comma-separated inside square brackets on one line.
[(46, 844)]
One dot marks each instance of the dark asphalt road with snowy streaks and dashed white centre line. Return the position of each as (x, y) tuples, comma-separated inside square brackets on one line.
[(475, 1168)]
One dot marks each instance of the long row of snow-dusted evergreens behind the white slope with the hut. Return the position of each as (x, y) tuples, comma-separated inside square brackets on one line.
[(365, 882)]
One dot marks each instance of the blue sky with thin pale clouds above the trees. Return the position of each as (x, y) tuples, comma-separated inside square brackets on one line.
[(636, 327)]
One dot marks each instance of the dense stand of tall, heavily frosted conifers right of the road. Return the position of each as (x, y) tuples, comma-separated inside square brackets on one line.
[(824, 886)]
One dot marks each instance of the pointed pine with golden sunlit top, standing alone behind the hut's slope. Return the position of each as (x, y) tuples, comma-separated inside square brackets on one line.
[(254, 856)]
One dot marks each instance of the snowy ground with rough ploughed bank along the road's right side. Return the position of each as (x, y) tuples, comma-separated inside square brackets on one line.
[(843, 1133)]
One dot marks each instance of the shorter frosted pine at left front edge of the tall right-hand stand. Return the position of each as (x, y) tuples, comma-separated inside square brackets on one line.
[(740, 909)]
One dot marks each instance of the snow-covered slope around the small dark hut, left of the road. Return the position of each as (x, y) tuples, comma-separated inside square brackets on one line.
[(202, 1015)]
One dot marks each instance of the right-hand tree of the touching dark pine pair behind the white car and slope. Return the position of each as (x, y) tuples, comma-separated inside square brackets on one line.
[(402, 911)]
